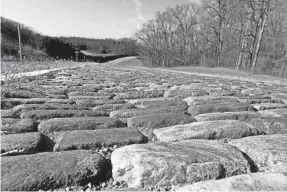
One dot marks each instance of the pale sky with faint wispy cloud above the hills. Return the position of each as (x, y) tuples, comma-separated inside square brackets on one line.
[(85, 18)]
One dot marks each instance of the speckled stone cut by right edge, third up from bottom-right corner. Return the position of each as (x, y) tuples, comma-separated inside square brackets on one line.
[(270, 126)]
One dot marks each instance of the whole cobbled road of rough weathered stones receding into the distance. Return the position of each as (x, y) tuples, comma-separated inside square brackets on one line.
[(112, 126)]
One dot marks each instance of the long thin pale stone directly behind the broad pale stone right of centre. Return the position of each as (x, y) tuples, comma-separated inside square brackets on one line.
[(245, 116)]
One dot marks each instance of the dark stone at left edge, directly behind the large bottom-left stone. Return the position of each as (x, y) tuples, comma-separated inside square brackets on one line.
[(24, 143)]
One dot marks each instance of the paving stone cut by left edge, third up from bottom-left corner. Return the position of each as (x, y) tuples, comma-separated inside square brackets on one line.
[(10, 125)]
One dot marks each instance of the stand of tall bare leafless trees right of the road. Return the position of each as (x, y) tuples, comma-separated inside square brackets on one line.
[(249, 34)]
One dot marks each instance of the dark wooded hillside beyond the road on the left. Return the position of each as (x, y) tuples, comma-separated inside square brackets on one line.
[(37, 46)]
